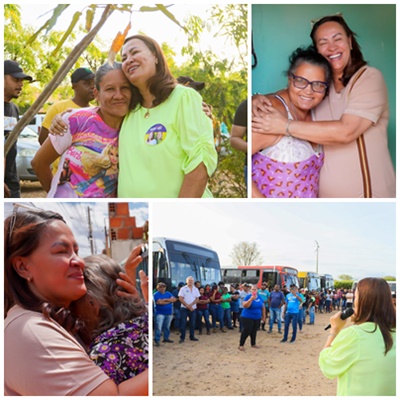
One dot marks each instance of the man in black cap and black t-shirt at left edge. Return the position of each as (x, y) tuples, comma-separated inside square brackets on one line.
[(13, 82)]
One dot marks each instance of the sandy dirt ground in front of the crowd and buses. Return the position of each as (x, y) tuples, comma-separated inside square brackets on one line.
[(214, 366)]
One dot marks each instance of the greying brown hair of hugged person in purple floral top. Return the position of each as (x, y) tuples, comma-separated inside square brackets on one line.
[(101, 273)]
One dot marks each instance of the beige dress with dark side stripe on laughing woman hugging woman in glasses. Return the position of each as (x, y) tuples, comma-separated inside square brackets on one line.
[(341, 174)]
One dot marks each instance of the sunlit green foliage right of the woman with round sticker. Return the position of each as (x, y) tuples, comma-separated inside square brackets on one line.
[(226, 85)]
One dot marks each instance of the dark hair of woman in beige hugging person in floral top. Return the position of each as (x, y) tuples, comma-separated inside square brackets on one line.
[(23, 231)]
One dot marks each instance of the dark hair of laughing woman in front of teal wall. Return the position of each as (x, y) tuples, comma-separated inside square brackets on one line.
[(356, 57)]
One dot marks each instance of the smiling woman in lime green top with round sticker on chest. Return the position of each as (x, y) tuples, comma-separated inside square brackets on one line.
[(166, 143)]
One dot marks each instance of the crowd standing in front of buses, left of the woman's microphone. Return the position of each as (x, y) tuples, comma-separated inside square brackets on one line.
[(219, 308)]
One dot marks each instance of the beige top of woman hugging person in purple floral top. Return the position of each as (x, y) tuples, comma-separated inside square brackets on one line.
[(42, 359)]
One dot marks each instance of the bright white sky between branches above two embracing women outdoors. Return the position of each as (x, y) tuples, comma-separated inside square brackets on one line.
[(154, 24)]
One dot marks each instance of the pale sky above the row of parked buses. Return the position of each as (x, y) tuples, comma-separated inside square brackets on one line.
[(358, 239)]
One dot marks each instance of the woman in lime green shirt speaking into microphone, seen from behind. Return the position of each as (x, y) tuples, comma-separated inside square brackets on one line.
[(363, 356)]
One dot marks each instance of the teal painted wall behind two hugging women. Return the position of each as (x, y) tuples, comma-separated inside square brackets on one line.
[(280, 29)]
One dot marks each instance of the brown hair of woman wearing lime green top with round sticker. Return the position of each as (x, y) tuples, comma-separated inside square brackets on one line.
[(162, 83)]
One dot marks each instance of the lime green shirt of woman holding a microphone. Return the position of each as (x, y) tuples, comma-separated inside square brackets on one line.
[(356, 357)]
